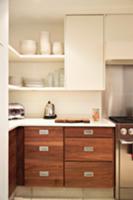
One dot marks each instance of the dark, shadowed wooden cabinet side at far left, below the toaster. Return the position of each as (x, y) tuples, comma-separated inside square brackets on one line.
[(16, 159)]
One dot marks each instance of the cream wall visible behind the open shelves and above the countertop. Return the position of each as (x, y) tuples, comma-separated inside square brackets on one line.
[(67, 103)]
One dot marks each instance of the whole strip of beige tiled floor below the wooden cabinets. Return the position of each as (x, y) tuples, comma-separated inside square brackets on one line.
[(40, 193)]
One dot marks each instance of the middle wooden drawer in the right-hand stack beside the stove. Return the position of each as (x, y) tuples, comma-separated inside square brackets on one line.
[(89, 149)]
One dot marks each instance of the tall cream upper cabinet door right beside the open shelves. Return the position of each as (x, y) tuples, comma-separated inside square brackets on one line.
[(84, 65)]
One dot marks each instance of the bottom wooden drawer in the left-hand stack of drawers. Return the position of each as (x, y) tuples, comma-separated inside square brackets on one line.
[(40, 173)]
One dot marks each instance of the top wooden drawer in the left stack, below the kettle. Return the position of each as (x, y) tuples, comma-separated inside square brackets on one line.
[(41, 133)]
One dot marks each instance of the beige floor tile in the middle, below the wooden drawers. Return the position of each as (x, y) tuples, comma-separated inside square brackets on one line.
[(56, 193)]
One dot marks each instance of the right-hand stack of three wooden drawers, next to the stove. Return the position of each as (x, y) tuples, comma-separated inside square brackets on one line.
[(89, 157)]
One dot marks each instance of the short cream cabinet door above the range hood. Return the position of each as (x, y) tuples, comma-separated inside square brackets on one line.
[(118, 37)]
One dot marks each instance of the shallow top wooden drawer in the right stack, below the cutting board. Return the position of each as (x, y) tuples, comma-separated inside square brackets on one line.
[(89, 132)]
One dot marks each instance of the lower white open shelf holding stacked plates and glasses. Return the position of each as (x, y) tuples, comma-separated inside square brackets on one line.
[(21, 88)]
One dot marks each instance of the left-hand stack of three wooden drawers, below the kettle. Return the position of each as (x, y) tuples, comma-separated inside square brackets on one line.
[(43, 156)]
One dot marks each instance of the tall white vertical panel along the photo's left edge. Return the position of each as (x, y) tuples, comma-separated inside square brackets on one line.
[(4, 100)]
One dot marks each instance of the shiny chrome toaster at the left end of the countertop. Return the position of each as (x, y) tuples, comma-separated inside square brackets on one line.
[(16, 111)]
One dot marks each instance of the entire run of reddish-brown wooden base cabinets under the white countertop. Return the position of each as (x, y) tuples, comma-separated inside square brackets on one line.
[(61, 157)]
